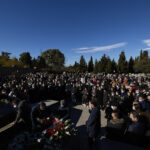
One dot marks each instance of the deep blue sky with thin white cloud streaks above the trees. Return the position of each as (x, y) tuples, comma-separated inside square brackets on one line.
[(76, 27)]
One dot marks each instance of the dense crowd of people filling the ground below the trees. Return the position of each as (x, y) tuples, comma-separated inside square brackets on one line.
[(125, 98)]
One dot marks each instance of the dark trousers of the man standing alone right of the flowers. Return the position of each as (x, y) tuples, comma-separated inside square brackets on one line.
[(93, 143)]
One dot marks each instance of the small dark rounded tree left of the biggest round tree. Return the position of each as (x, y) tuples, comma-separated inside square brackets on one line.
[(25, 58)]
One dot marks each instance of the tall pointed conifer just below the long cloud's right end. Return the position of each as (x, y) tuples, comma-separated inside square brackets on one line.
[(122, 63)]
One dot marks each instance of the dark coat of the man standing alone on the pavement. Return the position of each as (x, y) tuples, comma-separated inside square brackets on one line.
[(93, 123)]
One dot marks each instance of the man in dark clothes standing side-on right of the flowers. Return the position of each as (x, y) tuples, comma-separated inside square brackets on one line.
[(93, 124)]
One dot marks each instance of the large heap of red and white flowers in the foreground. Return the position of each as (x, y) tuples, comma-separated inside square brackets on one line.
[(52, 138)]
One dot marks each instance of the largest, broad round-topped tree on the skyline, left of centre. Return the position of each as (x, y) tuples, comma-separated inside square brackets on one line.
[(53, 57)]
